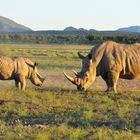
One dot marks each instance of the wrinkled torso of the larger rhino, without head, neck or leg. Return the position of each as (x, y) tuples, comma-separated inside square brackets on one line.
[(125, 58)]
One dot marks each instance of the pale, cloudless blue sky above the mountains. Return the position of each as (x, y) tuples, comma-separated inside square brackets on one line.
[(58, 14)]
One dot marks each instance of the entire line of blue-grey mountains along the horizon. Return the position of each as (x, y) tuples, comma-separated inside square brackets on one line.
[(10, 26)]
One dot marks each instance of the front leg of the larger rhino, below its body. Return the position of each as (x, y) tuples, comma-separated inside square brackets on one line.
[(112, 80)]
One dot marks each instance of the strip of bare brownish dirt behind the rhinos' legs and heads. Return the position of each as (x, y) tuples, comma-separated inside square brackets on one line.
[(55, 79)]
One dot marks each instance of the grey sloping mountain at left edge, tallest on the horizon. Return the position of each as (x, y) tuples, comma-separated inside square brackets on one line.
[(7, 25)]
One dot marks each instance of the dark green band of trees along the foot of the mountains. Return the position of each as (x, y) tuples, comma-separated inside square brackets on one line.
[(92, 38)]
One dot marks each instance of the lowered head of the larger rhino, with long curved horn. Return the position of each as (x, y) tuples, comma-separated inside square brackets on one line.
[(87, 75)]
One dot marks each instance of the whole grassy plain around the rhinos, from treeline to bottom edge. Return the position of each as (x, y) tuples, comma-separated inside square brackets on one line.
[(56, 110)]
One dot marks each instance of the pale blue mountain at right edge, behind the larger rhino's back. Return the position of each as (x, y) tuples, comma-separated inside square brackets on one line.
[(130, 29)]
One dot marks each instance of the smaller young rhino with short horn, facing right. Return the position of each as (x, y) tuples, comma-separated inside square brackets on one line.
[(19, 69)]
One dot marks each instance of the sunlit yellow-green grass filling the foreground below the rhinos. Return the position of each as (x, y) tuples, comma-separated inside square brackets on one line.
[(68, 115)]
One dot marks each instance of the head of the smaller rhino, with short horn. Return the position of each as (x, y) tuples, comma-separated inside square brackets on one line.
[(35, 77)]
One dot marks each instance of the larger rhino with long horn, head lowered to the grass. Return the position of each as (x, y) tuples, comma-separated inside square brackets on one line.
[(111, 61)]
